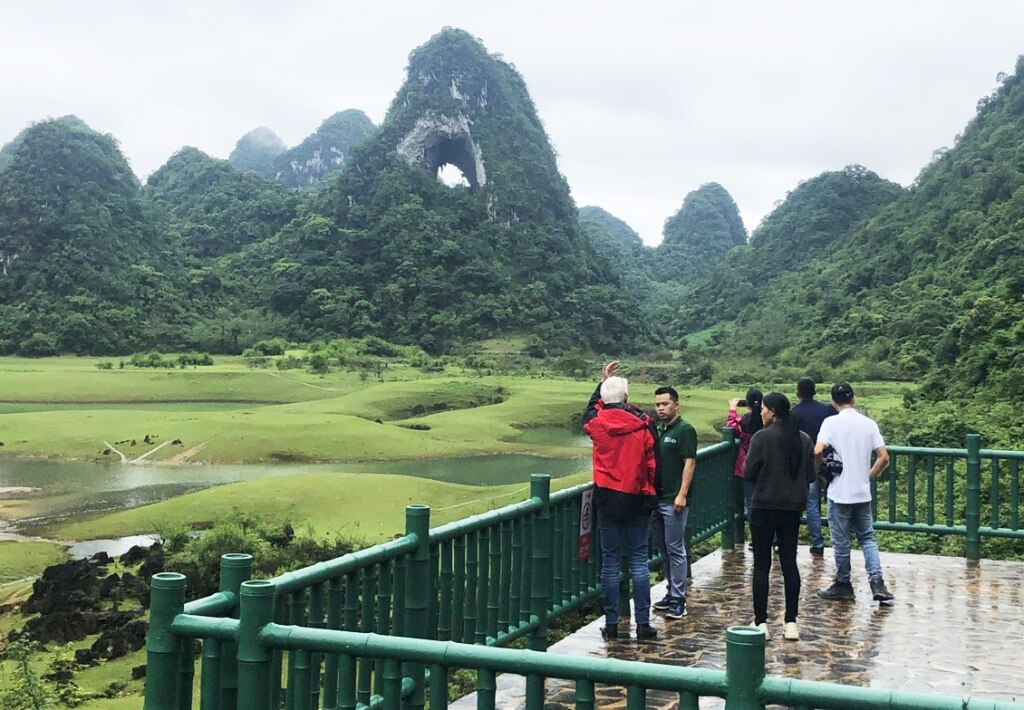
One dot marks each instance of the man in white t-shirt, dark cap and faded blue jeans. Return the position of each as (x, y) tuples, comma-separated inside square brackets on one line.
[(855, 438)]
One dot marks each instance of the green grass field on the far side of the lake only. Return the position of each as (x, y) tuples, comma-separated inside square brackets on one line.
[(66, 408)]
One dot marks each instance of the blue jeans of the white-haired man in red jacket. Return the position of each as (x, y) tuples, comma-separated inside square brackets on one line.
[(631, 539)]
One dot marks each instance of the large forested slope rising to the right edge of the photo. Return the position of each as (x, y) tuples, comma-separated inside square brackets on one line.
[(930, 287)]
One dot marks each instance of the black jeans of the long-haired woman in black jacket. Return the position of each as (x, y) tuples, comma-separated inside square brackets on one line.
[(784, 527)]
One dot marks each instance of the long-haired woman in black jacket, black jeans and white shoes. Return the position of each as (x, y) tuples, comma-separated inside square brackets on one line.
[(781, 465)]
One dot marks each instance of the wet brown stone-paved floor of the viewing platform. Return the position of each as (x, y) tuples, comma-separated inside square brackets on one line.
[(956, 629)]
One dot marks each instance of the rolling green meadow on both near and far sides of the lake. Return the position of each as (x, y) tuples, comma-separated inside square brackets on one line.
[(68, 409)]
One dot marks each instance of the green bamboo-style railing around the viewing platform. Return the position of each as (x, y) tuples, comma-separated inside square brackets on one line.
[(382, 628)]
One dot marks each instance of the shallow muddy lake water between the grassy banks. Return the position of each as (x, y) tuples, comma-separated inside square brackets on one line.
[(35, 493)]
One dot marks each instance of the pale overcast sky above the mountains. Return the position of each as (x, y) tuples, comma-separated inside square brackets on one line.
[(644, 102)]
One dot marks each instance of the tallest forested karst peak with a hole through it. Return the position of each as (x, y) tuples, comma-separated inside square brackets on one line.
[(390, 250)]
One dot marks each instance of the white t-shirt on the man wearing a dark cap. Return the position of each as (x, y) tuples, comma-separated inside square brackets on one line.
[(854, 437)]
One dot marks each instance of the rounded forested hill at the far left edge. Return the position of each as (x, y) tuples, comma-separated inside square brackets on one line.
[(83, 270)]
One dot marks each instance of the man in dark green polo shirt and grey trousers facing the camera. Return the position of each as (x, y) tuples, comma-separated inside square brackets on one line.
[(678, 443)]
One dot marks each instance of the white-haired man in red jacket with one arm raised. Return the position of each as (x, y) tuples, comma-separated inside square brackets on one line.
[(624, 495)]
